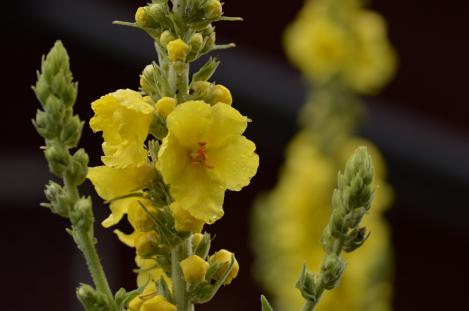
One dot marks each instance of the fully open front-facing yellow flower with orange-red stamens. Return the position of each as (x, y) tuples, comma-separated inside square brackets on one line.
[(205, 154)]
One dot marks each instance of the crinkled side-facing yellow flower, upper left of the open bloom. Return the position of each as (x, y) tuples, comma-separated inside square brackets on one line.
[(124, 118)]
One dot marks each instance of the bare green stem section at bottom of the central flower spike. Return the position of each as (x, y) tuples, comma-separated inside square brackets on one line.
[(180, 294)]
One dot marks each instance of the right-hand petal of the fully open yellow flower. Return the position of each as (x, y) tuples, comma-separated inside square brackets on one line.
[(235, 164)]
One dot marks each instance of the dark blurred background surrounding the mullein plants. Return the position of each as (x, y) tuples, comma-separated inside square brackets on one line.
[(420, 122)]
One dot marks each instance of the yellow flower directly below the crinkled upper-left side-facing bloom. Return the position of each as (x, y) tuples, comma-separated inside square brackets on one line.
[(111, 183)]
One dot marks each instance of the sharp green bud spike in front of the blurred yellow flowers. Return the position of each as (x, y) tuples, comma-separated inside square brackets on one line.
[(350, 202)]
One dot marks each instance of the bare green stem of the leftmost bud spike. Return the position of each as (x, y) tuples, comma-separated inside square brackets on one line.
[(85, 240)]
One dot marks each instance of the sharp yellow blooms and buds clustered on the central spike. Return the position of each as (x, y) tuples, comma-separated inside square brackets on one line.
[(202, 155)]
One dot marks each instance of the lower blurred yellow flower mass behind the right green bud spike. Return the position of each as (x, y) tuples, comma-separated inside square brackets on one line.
[(292, 217)]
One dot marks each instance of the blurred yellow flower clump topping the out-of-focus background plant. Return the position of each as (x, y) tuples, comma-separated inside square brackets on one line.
[(340, 40)]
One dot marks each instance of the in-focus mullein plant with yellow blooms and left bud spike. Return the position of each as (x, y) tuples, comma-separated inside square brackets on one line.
[(171, 149)]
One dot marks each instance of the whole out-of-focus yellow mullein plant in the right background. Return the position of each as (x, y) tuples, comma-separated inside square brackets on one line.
[(343, 52)]
